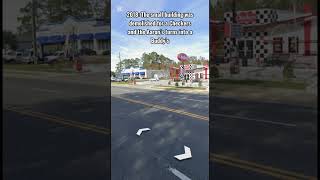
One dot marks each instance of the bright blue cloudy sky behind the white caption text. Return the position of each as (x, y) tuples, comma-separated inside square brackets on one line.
[(134, 46)]
